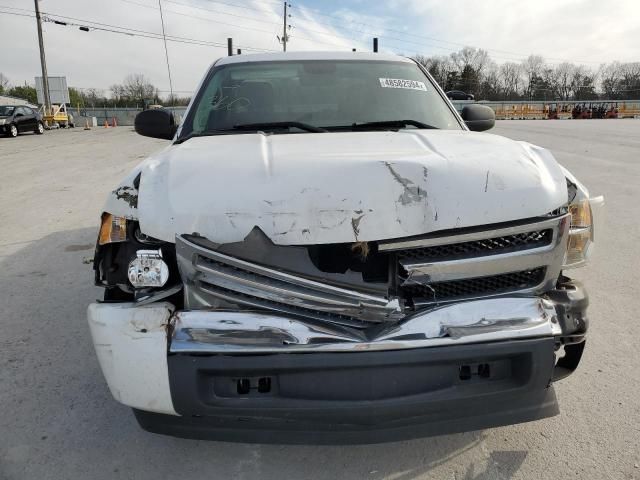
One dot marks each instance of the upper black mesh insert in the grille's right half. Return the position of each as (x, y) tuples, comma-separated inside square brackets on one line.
[(490, 246)]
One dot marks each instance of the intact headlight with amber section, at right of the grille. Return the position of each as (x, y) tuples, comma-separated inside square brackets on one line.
[(581, 233)]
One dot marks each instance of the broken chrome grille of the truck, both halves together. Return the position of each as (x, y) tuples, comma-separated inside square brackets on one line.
[(428, 271)]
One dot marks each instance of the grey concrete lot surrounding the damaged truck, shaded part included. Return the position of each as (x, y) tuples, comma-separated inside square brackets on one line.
[(58, 420)]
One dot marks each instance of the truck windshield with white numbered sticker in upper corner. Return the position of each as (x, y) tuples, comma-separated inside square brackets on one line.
[(330, 95)]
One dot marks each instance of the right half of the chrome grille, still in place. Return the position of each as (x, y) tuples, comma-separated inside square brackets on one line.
[(524, 258)]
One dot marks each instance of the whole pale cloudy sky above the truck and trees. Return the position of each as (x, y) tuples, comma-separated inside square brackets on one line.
[(582, 31)]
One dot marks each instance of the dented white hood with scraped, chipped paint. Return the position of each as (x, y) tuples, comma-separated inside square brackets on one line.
[(343, 187)]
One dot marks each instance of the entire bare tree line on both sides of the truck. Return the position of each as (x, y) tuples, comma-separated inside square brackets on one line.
[(471, 70)]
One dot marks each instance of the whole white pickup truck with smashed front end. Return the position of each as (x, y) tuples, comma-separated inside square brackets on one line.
[(327, 252)]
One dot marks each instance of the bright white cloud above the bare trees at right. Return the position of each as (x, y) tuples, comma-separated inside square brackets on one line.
[(582, 31)]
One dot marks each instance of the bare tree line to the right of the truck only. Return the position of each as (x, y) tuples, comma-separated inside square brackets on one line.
[(472, 70)]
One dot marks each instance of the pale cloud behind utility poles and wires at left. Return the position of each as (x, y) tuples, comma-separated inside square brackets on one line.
[(98, 59)]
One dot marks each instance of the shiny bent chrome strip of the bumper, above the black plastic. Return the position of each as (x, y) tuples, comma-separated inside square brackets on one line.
[(489, 320)]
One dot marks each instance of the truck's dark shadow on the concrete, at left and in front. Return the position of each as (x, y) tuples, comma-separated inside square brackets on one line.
[(60, 421)]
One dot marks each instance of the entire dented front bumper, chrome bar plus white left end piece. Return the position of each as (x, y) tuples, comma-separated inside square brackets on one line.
[(136, 344)]
